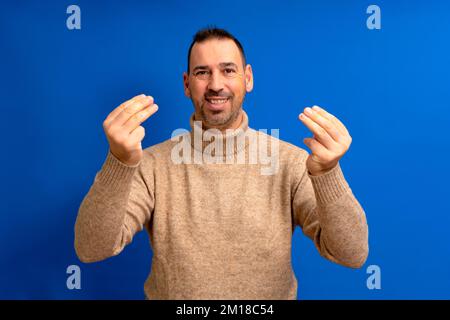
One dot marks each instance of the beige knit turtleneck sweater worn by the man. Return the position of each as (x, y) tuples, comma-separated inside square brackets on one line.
[(220, 231)]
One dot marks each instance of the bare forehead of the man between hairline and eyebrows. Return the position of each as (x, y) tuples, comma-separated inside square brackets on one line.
[(214, 51)]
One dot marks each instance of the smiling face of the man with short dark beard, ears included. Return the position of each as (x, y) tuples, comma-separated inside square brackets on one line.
[(217, 83)]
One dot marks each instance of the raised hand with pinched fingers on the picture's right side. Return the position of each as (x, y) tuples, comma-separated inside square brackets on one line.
[(329, 143)]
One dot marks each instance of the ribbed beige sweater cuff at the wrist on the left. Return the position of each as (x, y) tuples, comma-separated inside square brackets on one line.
[(114, 174)]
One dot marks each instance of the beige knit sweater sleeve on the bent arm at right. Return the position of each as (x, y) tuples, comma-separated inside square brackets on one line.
[(329, 214)]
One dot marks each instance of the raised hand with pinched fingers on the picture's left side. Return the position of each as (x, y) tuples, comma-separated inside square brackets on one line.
[(124, 131)]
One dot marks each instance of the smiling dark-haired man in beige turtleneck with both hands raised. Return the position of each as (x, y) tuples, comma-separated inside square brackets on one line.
[(220, 230)]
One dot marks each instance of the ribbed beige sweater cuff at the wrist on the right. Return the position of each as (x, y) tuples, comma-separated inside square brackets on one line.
[(330, 186)]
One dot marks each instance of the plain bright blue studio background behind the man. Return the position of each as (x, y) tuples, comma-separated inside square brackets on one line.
[(390, 87)]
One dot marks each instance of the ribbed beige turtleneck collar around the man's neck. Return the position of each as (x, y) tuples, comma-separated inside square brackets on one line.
[(201, 138)]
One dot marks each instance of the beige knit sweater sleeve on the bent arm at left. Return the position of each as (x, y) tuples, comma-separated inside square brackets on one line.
[(119, 203)]
